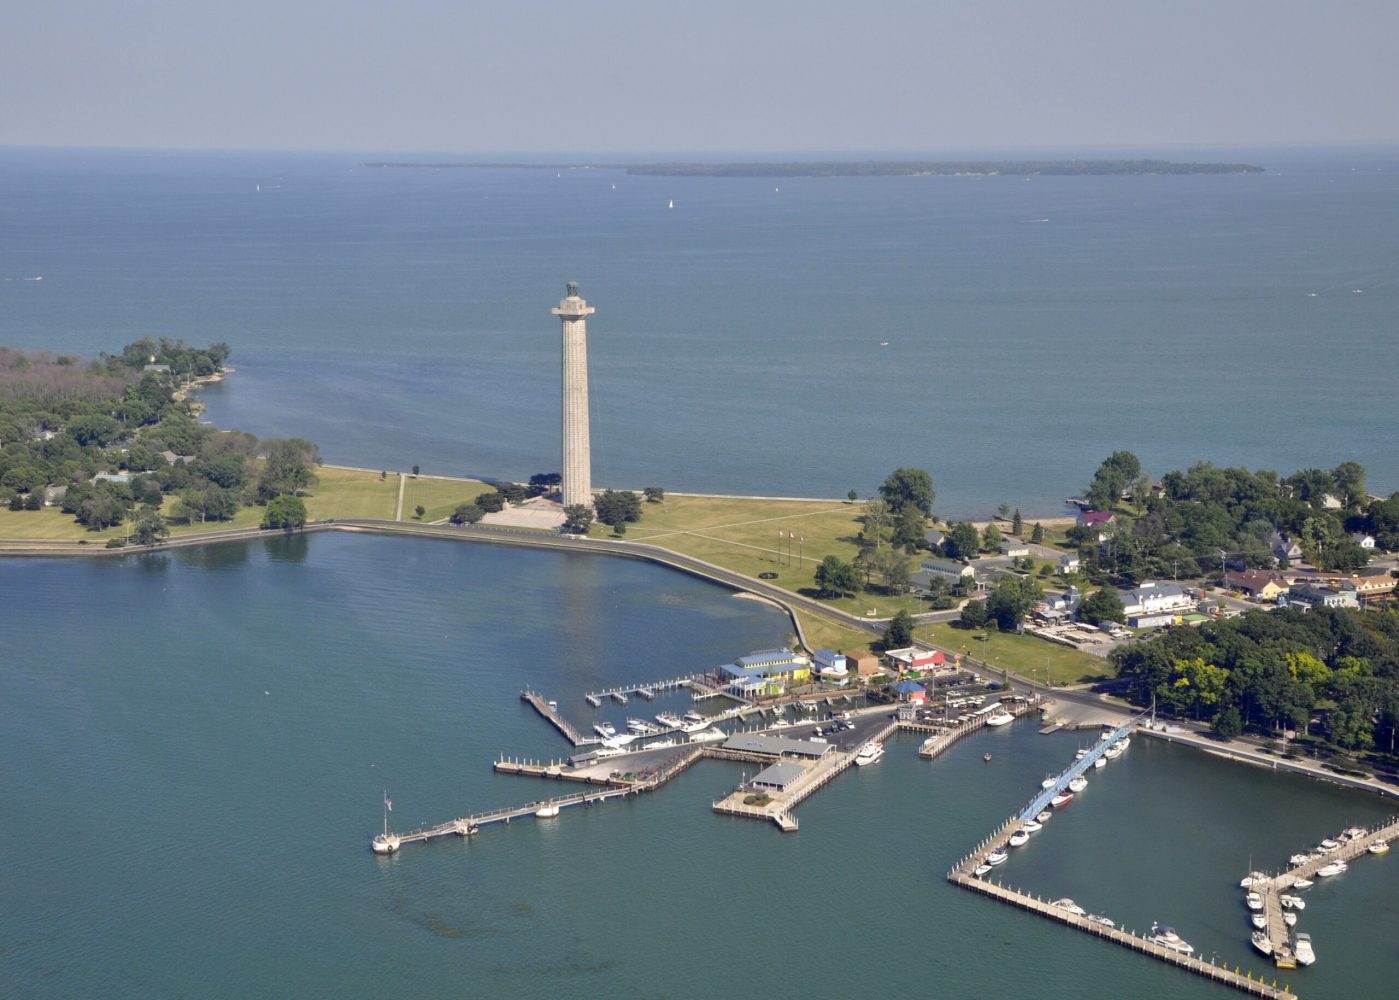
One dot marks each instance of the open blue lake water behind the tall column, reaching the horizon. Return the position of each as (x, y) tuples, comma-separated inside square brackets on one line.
[(401, 317)]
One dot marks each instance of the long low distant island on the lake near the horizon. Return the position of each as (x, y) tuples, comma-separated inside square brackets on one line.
[(871, 169)]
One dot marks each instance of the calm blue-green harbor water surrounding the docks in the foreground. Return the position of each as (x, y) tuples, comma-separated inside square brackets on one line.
[(195, 748)]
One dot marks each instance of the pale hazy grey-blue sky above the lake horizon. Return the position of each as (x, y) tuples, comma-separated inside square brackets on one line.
[(713, 76)]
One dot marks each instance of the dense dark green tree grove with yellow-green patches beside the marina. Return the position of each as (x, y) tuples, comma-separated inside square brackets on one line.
[(1333, 673)]
